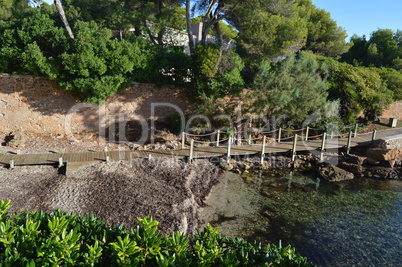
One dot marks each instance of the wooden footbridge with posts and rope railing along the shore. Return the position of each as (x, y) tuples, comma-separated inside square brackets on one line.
[(207, 149)]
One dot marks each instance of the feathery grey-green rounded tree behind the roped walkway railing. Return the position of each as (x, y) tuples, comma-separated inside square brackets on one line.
[(280, 87)]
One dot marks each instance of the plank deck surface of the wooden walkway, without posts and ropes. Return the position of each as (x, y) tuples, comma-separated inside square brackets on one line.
[(199, 152)]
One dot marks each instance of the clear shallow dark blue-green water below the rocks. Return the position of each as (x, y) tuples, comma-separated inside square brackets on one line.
[(354, 223)]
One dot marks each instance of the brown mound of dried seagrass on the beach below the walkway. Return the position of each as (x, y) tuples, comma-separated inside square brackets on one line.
[(118, 192)]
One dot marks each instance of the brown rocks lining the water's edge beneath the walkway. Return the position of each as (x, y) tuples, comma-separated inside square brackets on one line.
[(377, 163)]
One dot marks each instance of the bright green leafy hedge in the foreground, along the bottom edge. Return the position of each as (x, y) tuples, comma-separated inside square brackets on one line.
[(63, 239)]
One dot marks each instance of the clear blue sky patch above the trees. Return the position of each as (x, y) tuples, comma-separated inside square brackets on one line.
[(362, 17)]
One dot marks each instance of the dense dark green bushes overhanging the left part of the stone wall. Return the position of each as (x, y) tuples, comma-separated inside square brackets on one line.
[(94, 65)]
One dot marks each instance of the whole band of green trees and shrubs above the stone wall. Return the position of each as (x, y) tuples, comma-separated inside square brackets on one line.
[(285, 52)]
